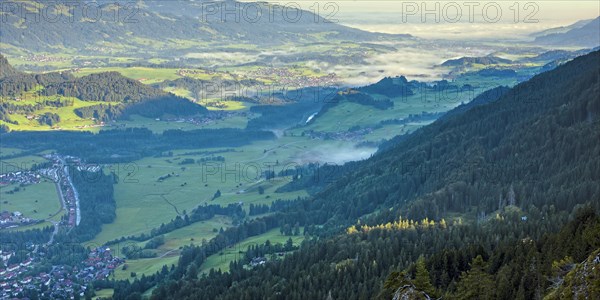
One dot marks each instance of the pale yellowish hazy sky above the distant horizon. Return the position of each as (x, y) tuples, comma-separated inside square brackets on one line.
[(497, 22)]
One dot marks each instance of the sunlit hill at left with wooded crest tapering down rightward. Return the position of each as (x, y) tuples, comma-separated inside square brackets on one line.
[(47, 100)]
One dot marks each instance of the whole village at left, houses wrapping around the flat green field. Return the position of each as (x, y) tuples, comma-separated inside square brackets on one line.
[(20, 268)]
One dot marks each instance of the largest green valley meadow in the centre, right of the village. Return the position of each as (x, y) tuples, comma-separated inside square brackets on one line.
[(143, 202)]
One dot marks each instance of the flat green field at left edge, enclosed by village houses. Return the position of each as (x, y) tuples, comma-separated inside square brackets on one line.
[(36, 201)]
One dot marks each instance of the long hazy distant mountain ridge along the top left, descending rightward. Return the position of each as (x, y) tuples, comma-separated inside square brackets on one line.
[(169, 24)]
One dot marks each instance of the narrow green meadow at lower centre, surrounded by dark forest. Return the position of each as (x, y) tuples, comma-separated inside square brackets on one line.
[(222, 259)]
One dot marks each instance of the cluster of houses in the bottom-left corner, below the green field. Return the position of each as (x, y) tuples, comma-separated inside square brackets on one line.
[(62, 282)]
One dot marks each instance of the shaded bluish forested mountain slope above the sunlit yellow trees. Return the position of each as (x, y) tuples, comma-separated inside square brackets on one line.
[(541, 137)]
